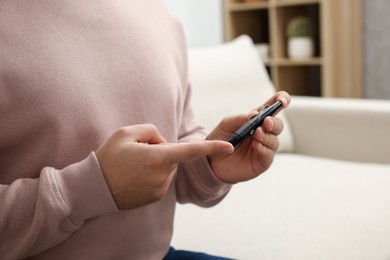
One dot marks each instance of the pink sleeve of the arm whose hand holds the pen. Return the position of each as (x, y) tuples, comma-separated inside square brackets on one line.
[(196, 182)]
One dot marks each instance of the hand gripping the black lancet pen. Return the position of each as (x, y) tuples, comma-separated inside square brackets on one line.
[(254, 155)]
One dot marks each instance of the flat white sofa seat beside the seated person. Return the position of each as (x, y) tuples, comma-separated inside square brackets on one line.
[(302, 208)]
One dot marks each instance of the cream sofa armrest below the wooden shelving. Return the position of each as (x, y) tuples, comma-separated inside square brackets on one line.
[(345, 129)]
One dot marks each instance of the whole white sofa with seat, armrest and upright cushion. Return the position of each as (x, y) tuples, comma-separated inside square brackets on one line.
[(327, 194)]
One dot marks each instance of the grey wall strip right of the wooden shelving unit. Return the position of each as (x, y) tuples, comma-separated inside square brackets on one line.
[(376, 46)]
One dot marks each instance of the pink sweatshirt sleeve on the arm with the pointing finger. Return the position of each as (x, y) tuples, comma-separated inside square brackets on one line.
[(37, 214)]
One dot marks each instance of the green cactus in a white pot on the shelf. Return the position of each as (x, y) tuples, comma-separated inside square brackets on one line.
[(300, 38)]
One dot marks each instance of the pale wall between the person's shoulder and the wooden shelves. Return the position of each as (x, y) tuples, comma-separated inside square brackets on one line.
[(202, 20)]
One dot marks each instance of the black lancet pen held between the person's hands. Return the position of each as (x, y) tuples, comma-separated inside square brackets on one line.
[(250, 127)]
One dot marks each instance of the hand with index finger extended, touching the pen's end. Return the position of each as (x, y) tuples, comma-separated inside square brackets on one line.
[(139, 164)]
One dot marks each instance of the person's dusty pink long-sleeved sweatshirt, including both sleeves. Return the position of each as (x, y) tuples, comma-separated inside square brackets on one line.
[(71, 73)]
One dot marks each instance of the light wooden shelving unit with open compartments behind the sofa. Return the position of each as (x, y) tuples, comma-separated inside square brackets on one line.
[(336, 68)]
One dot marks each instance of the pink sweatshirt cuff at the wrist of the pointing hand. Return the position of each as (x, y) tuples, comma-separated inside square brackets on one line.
[(84, 190)]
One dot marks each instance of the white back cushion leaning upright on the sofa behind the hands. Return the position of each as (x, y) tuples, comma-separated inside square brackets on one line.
[(230, 79)]
